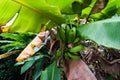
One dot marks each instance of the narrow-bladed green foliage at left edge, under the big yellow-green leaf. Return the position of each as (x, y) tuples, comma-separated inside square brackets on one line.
[(14, 40)]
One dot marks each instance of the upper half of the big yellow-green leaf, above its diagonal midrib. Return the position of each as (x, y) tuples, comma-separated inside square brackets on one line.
[(41, 7)]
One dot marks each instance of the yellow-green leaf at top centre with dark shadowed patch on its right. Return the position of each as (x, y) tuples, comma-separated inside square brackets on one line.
[(66, 6)]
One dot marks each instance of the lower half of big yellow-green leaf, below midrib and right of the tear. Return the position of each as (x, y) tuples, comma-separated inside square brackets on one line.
[(28, 21)]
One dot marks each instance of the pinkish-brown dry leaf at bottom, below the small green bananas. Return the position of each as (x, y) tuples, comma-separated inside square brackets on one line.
[(77, 70)]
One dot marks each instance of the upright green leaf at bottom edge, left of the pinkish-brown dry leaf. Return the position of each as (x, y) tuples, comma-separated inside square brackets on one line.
[(51, 72)]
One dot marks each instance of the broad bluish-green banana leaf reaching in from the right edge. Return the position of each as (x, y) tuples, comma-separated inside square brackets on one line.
[(104, 32)]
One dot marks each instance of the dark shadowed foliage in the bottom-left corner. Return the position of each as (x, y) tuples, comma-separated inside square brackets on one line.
[(7, 69)]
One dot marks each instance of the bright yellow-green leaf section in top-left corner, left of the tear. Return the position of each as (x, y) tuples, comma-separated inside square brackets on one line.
[(8, 9)]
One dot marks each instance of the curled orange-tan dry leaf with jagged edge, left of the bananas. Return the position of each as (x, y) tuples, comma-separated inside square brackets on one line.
[(29, 50)]
